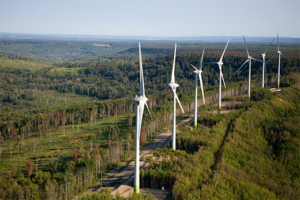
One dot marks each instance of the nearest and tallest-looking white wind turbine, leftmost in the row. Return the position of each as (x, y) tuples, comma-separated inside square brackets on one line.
[(140, 101)]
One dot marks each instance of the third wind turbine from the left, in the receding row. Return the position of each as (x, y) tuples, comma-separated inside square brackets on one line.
[(198, 72)]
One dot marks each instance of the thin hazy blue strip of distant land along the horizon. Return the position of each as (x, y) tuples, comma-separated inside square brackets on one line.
[(166, 39)]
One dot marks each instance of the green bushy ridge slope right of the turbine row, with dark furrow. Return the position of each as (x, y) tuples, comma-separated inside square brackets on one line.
[(248, 154)]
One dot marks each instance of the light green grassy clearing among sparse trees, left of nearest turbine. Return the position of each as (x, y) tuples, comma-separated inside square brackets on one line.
[(66, 143)]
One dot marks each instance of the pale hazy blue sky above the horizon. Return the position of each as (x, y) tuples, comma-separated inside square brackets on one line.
[(152, 17)]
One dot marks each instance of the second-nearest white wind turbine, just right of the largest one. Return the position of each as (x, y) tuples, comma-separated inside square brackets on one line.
[(173, 85)]
